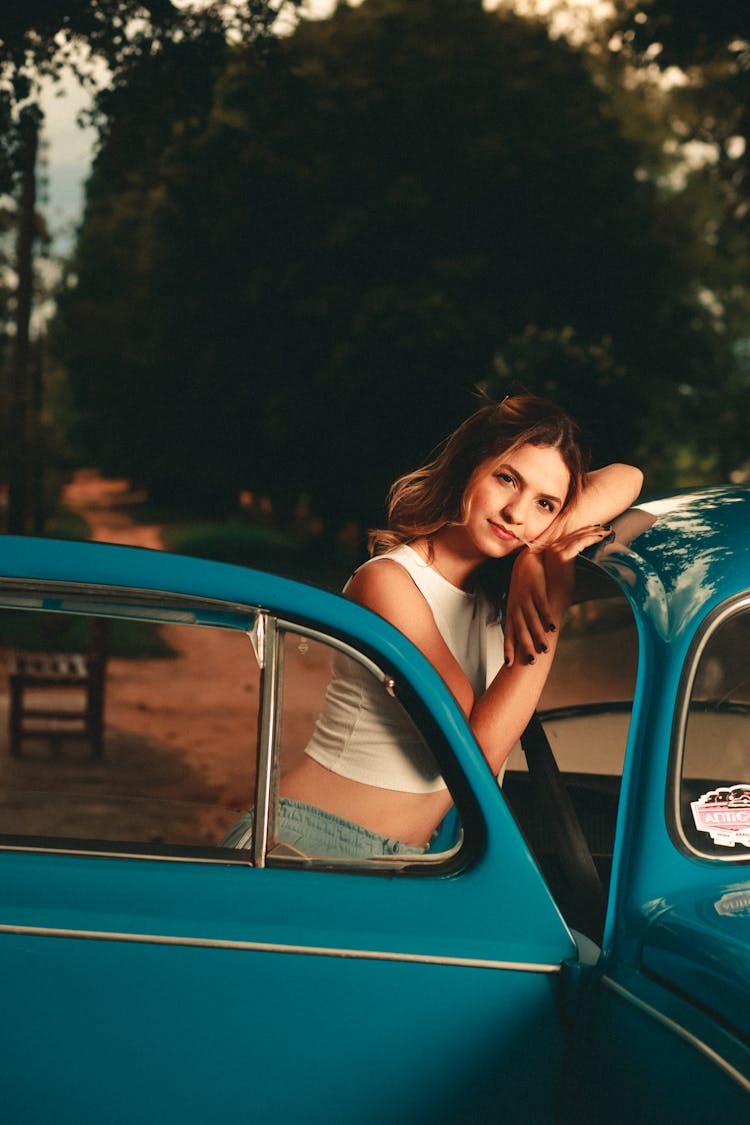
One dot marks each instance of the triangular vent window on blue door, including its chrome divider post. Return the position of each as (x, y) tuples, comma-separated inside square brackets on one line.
[(331, 709)]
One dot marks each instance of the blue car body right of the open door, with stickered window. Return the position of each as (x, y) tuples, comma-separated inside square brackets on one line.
[(665, 1034)]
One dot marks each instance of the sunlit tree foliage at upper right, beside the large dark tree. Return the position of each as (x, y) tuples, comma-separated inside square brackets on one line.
[(709, 113)]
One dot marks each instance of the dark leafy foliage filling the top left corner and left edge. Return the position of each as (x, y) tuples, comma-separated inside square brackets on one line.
[(43, 41)]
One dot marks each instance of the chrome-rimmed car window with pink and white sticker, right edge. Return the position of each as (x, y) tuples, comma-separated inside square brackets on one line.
[(713, 779)]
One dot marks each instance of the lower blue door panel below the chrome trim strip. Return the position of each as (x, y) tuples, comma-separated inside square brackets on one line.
[(193, 1034)]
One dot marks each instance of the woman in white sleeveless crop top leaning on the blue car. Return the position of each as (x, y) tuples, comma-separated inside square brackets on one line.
[(510, 484)]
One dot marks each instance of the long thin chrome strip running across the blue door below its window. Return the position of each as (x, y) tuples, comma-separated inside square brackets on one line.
[(314, 951)]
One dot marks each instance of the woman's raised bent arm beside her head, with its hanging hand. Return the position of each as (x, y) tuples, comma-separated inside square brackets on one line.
[(530, 618)]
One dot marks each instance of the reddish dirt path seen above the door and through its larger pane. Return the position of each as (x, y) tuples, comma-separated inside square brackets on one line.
[(179, 732)]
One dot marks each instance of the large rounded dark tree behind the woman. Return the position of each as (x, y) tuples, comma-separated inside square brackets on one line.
[(297, 265)]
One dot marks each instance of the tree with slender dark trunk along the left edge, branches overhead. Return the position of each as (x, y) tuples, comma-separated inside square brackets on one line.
[(39, 40)]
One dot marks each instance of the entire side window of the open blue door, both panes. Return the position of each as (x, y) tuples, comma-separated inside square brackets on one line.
[(167, 736)]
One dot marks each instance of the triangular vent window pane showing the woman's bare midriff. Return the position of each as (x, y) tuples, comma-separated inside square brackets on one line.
[(340, 726)]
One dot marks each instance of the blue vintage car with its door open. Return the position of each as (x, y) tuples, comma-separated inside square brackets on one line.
[(150, 982)]
